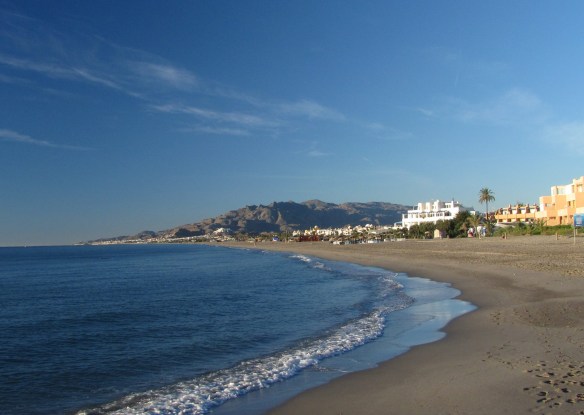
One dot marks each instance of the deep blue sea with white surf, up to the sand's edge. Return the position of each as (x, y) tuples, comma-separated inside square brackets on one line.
[(197, 329)]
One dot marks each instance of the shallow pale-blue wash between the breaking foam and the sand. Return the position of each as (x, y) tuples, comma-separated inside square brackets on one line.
[(420, 322)]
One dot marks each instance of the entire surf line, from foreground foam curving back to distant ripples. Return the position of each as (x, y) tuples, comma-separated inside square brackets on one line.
[(201, 394)]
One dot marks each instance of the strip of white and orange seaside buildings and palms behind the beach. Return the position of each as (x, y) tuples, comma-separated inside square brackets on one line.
[(560, 211)]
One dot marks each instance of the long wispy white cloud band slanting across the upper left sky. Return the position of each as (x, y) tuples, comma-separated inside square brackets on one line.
[(149, 76)]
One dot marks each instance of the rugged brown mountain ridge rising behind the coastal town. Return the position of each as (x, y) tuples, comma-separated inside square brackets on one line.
[(285, 216)]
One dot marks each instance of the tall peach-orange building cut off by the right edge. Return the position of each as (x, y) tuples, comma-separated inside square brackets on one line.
[(564, 202)]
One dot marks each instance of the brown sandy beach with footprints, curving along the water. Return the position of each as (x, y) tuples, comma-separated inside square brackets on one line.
[(521, 351)]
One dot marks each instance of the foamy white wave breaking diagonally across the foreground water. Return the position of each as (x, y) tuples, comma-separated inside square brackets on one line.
[(203, 393)]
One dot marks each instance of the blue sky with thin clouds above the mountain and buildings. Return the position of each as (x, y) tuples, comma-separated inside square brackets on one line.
[(122, 116)]
